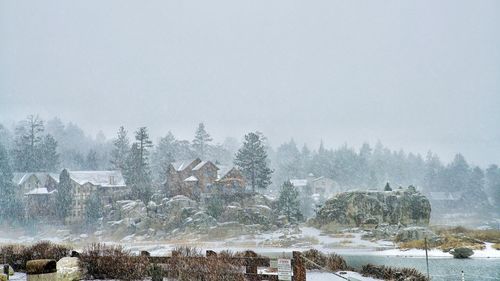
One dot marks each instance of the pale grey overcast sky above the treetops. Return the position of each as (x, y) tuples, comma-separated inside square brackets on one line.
[(416, 75)]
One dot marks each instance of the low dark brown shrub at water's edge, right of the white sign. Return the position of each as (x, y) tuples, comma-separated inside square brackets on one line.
[(391, 273)]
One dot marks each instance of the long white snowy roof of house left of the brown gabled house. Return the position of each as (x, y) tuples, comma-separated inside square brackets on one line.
[(102, 178)]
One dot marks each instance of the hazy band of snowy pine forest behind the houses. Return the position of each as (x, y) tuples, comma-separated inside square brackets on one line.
[(34, 145)]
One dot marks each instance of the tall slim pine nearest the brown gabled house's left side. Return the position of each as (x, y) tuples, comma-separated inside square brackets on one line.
[(138, 170)]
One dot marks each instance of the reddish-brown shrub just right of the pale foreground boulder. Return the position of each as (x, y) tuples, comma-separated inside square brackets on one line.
[(101, 261)]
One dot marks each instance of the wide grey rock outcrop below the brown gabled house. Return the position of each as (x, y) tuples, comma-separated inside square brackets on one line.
[(163, 218)]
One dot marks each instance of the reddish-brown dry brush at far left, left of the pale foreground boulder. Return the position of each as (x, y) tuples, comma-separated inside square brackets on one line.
[(18, 255)]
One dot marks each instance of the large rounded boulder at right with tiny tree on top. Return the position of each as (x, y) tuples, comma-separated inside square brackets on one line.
[(358, 208)]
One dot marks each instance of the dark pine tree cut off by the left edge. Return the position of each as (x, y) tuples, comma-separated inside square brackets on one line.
[(11, 208)]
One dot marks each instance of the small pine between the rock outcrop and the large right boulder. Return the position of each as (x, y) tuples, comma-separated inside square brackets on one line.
[(288, 202)]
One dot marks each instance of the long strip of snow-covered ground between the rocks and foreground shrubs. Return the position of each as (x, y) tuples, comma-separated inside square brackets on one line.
[(283, 240)]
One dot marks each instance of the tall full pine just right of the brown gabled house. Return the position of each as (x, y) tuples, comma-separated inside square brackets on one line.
[(251, 158)]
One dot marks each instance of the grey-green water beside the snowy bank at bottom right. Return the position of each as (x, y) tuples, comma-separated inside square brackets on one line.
[(441, 269)]
